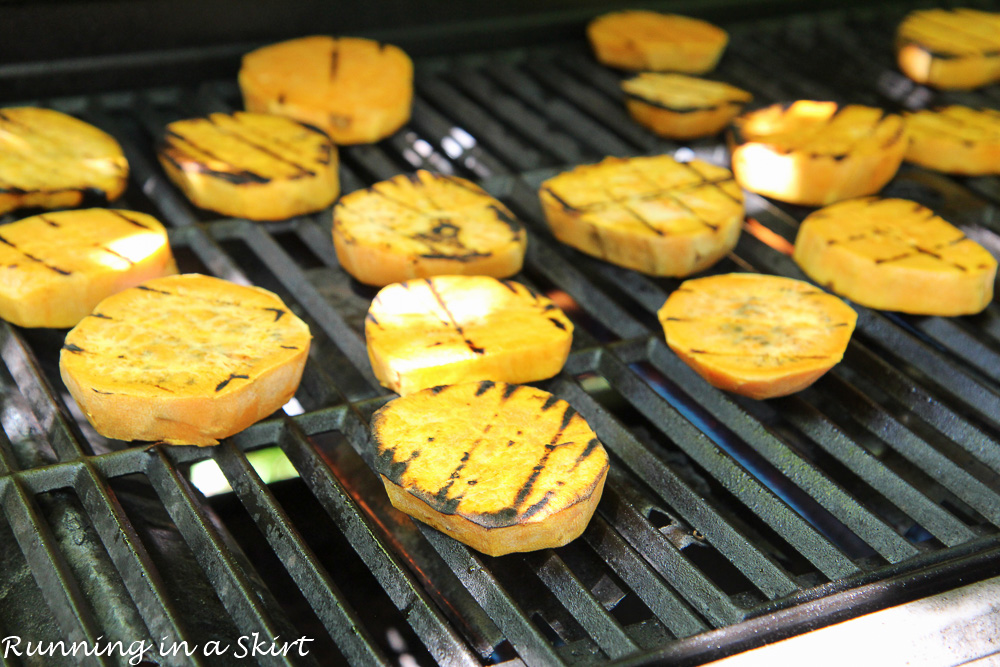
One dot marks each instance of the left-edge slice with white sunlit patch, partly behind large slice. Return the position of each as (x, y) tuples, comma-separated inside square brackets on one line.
[(55, 267)]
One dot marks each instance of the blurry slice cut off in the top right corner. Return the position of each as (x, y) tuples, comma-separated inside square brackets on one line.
[(950, 48)]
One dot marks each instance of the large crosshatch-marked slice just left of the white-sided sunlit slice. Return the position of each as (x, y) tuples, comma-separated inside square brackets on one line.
[(651, 214)]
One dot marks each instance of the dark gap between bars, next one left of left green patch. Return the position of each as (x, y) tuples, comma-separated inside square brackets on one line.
[(189, 590)]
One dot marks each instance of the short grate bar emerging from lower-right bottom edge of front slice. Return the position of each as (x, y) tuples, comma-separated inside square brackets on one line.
[(582, 604)]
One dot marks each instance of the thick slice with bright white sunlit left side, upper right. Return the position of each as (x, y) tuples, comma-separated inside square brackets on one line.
[(816, 153)]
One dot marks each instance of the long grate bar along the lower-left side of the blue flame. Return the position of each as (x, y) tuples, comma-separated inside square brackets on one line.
[(735, 479)]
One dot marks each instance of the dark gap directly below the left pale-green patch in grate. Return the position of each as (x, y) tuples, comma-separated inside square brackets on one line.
[(254, 544)]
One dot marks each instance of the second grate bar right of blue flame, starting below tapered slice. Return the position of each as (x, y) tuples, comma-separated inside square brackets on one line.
[(825, 434)]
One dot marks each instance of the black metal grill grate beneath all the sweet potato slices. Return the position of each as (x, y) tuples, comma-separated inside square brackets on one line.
[(726, 523)]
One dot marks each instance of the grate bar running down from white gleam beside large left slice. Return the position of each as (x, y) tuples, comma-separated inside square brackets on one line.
[(399, 585)]
